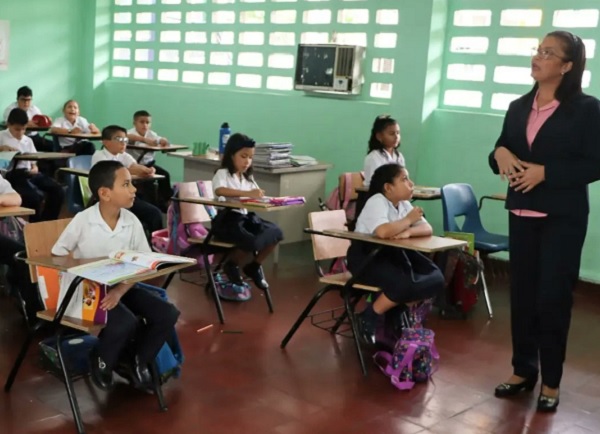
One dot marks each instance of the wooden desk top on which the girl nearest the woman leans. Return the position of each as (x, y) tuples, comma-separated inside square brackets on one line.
[(420, 244)]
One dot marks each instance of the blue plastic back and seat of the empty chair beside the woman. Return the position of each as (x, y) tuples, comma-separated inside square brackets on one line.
[(458, 200)]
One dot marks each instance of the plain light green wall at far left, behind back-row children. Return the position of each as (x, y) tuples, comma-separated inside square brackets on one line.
[(47, 40)]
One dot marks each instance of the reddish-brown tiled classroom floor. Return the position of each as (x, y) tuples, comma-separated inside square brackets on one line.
[(244, 383)]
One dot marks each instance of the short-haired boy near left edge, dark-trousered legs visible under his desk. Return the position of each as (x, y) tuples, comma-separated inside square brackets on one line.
[(37, 190)]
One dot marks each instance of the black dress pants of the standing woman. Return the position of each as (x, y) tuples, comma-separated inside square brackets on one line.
[(545, 254)]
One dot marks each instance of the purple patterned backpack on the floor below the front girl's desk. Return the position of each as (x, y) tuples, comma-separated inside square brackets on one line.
[(414, 359)]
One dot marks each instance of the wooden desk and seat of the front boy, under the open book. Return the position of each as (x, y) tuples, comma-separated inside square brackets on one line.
[(57, 319)]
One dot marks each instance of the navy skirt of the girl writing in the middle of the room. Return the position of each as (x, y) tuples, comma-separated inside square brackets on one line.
[(247, 231)]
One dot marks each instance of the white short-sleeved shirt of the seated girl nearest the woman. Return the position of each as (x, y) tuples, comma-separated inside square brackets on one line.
[(379, 210)]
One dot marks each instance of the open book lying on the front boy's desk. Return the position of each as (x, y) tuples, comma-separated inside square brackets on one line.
[(123, 264)]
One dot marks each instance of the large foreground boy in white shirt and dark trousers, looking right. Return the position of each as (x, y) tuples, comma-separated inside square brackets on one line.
[(95, 232)]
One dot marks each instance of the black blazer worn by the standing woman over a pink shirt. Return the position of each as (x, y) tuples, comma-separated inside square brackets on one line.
[(568, 145)]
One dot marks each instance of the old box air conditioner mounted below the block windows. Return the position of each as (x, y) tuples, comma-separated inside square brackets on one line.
[(329, 68)]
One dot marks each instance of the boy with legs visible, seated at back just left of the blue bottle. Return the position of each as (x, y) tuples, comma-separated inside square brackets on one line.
[(142, 134)]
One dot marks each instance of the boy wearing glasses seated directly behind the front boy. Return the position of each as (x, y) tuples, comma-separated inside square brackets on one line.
[(114, 141)]
